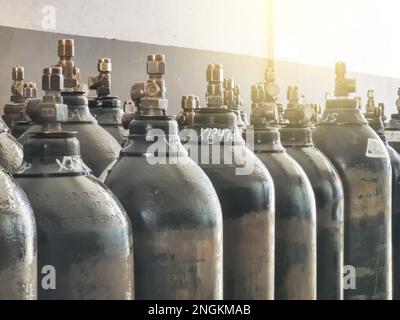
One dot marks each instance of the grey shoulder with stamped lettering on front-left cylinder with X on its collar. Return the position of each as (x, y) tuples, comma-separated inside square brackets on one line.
[(78, 202)]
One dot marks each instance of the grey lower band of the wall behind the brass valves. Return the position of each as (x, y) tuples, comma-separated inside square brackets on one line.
[(186, 68)]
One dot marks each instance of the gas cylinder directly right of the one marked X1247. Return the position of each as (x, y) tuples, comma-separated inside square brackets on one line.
[(295, 215)]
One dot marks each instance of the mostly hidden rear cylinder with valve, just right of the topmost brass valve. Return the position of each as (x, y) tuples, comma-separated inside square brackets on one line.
[(106, 108)]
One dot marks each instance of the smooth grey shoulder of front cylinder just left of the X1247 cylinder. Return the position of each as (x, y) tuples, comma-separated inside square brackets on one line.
[(164, 195)]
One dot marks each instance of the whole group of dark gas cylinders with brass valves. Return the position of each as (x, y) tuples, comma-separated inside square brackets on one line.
[(199, 206)]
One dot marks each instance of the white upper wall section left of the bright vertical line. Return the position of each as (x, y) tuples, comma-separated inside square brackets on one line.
[(234, 26)]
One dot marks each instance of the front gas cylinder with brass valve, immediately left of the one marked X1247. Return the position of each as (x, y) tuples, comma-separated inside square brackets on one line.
[(175, 212)]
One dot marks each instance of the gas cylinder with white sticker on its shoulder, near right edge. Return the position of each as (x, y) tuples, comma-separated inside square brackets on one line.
[(363, 164)]
